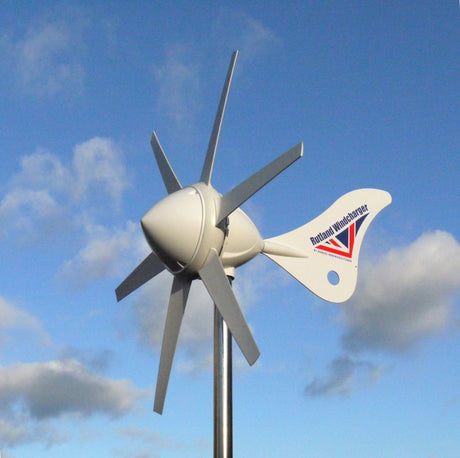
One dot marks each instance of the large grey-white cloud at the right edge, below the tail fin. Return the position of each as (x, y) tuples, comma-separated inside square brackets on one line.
[(406, 296)]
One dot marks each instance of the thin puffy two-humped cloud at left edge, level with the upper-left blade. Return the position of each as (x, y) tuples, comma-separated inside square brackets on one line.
[(47, 193)]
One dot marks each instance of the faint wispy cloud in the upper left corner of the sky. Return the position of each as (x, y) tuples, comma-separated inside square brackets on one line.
[(45, 59)]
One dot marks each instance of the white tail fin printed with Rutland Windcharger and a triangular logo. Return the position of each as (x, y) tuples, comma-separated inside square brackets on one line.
[(323, 254)]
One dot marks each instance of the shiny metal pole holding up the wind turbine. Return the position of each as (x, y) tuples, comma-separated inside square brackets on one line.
[(223, 403)]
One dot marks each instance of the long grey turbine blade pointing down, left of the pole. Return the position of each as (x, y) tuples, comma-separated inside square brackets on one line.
[(176, 308)]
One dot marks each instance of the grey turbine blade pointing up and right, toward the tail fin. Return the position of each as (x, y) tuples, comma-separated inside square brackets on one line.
[(238, 195)]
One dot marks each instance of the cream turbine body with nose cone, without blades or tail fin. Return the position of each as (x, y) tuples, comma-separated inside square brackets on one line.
[(182, 228)]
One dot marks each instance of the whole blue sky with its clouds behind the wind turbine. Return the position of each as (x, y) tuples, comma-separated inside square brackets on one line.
[(371, 88)]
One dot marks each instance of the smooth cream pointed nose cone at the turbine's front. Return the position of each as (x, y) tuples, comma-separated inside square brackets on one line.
[(173, 227)]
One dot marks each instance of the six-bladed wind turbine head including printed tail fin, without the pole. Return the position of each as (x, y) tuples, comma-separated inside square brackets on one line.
[(198, 234)]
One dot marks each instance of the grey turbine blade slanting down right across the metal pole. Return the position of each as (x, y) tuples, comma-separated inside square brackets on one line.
[(221, 292)]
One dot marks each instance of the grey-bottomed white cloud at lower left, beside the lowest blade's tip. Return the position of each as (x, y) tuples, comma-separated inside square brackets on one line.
[(31, 395)]
